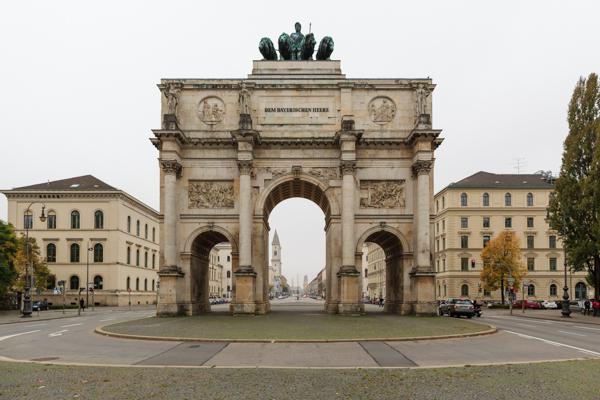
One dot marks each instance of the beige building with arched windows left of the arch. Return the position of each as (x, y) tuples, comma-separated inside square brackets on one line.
[(90, 224)]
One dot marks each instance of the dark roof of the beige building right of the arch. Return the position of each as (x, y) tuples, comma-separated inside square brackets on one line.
[(488, 180)]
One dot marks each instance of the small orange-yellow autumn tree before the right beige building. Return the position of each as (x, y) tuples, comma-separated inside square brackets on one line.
[(501, 259)]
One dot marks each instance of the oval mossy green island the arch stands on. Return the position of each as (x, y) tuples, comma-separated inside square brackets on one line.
[(279, 325)]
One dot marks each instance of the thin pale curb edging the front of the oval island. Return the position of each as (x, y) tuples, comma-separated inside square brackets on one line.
[(491, 329)]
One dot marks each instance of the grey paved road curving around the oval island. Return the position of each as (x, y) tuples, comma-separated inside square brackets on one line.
[(72, 340)]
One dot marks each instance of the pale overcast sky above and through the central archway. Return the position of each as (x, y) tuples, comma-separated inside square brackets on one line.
[(79, 81)]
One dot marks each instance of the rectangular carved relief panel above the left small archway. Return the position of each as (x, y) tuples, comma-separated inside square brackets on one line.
[(210, 194)]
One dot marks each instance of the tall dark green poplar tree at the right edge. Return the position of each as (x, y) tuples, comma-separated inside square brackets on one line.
[(574, 208)]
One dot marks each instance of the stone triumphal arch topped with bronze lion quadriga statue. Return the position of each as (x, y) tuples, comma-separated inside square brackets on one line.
[(232, 149)]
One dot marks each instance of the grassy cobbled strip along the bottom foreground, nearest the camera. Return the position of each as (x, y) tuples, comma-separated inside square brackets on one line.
[(557, 381)]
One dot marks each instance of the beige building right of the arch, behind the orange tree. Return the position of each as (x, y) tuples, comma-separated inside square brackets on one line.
[(475, 209)]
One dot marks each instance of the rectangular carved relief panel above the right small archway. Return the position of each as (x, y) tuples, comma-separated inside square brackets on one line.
[(382, 194)]
